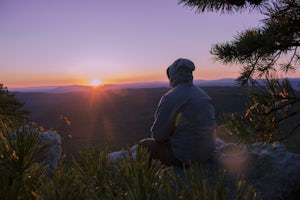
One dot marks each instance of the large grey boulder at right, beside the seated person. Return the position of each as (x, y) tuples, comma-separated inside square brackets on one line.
[(270, 169)]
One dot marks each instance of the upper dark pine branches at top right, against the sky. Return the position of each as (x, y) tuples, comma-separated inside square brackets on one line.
[(260, 51)]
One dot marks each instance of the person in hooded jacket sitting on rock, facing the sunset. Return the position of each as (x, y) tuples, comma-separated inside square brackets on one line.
[(184, 125)]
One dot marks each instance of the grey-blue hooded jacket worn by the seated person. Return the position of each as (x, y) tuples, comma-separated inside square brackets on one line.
[(185, 118)]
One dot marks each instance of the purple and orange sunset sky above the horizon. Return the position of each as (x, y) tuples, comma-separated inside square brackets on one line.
[(71, 42)]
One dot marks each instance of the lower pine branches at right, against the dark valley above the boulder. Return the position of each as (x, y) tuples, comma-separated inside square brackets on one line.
[(273, 114)]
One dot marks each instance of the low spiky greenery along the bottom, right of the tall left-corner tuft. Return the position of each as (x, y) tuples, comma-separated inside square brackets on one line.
[(92, 176)]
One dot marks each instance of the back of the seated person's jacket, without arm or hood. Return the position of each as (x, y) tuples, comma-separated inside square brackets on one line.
[(193, 137)]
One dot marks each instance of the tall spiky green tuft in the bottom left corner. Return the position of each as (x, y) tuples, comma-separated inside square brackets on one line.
[(20, 173)]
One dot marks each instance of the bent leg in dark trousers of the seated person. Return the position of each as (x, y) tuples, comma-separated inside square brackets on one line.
[(160, 151)]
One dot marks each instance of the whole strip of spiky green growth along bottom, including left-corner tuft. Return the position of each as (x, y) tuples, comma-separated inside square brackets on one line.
[(91, 175)]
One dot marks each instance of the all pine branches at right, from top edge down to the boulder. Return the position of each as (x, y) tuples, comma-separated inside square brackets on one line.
[(274, 112)]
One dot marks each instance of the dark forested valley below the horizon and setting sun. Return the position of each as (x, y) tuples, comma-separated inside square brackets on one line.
[(111, 118)]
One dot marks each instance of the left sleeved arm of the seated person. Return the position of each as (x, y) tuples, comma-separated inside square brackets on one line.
[(163, 120)]
